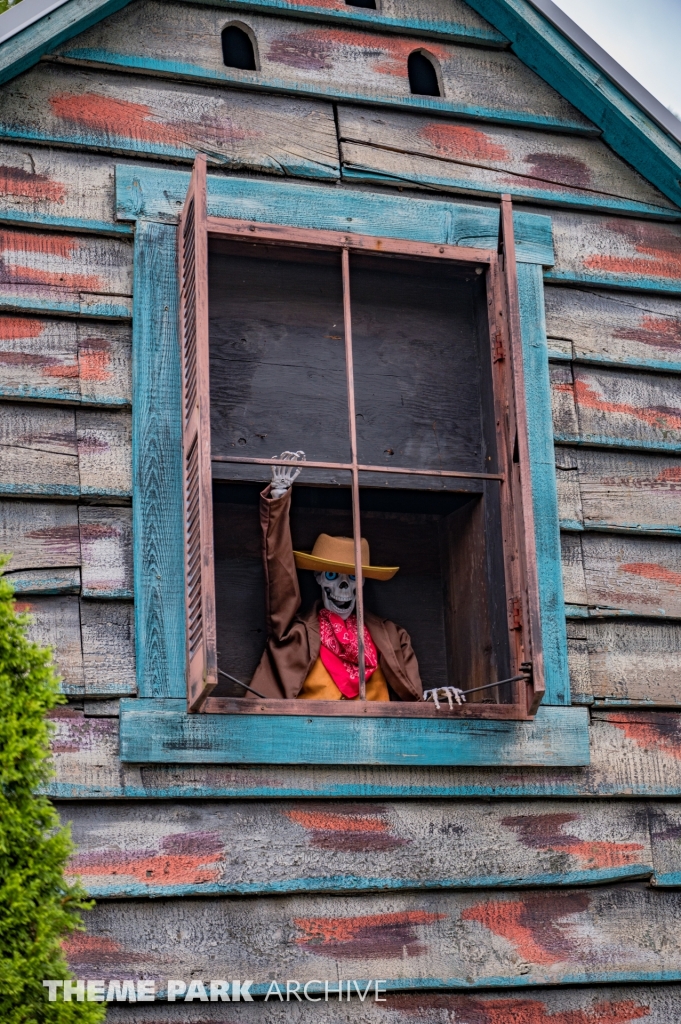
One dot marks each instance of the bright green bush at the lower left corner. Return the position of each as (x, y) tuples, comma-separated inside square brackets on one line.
[(38, 908)]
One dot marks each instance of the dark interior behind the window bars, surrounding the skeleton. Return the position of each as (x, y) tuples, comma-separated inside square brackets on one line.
[(422, 374)]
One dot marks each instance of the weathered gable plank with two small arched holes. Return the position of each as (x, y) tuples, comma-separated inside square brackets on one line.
[(312, 59)]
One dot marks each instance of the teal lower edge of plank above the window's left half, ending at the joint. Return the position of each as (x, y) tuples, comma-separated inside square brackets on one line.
[(106, 143)]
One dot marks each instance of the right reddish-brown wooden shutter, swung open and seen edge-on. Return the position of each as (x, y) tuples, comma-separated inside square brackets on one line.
[(522, 580)]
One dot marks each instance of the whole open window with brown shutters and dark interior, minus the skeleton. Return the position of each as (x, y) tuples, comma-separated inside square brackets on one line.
[(297, 331)]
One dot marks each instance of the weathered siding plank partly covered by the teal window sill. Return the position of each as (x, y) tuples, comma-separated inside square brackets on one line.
[(633, 754)]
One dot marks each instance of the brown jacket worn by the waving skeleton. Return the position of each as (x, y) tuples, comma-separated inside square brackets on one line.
[(293, 641)]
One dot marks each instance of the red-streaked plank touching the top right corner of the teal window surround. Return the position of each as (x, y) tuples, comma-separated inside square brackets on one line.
[(617, 253)]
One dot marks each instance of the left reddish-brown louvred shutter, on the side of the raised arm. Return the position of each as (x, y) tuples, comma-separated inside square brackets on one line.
[(199, 574)]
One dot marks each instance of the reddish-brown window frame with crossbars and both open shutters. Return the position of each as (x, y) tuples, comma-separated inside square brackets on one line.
[(499, 267)]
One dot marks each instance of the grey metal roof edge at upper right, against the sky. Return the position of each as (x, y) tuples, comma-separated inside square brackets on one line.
[(632, 89)]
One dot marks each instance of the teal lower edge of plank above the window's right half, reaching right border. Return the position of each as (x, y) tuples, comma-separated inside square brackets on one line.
[(592, 202)]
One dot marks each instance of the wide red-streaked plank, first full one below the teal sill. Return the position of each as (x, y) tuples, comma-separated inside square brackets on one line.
[(134, 850)]
